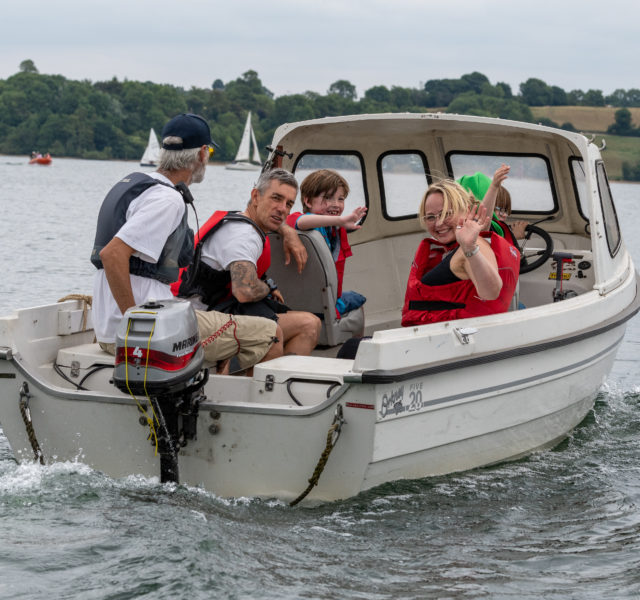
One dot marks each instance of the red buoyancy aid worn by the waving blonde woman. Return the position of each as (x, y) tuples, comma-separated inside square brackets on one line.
[(457, 300)]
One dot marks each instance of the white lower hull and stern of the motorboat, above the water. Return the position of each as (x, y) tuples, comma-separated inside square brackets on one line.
[(409, 428)]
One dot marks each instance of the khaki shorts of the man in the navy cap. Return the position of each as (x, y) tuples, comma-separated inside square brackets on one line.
[(224, 336)]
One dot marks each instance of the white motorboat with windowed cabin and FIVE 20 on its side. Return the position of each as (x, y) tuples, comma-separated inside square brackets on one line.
[(414, 402)]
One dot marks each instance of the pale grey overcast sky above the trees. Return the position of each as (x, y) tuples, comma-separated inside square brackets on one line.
[(299, 45)]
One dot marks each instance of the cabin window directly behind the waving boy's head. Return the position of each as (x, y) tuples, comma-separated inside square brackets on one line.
[(347, 164)]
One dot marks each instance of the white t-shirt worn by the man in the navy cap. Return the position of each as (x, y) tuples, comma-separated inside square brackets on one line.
[(151, 218)]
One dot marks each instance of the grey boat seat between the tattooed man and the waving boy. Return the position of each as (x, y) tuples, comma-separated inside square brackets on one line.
[(314, 290)]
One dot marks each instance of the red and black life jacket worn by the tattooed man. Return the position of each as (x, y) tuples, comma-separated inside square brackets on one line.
[(207, 276)]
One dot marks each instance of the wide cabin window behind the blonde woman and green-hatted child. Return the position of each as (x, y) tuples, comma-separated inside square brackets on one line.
[(529, 183)]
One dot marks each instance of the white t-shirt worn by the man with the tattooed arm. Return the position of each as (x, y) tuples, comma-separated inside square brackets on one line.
[(233, 241)]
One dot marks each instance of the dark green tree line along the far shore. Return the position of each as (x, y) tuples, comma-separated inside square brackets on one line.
[(111, 119)]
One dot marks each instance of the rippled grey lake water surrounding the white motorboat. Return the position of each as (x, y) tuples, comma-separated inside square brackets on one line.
[(559, 524)]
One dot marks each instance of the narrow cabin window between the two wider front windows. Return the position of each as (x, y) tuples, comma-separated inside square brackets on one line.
[(403, 181)]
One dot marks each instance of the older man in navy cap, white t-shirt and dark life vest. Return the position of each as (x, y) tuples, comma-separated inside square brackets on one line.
[(143, 239)]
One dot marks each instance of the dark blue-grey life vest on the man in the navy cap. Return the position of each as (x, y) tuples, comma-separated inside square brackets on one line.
[(178, 249)]
